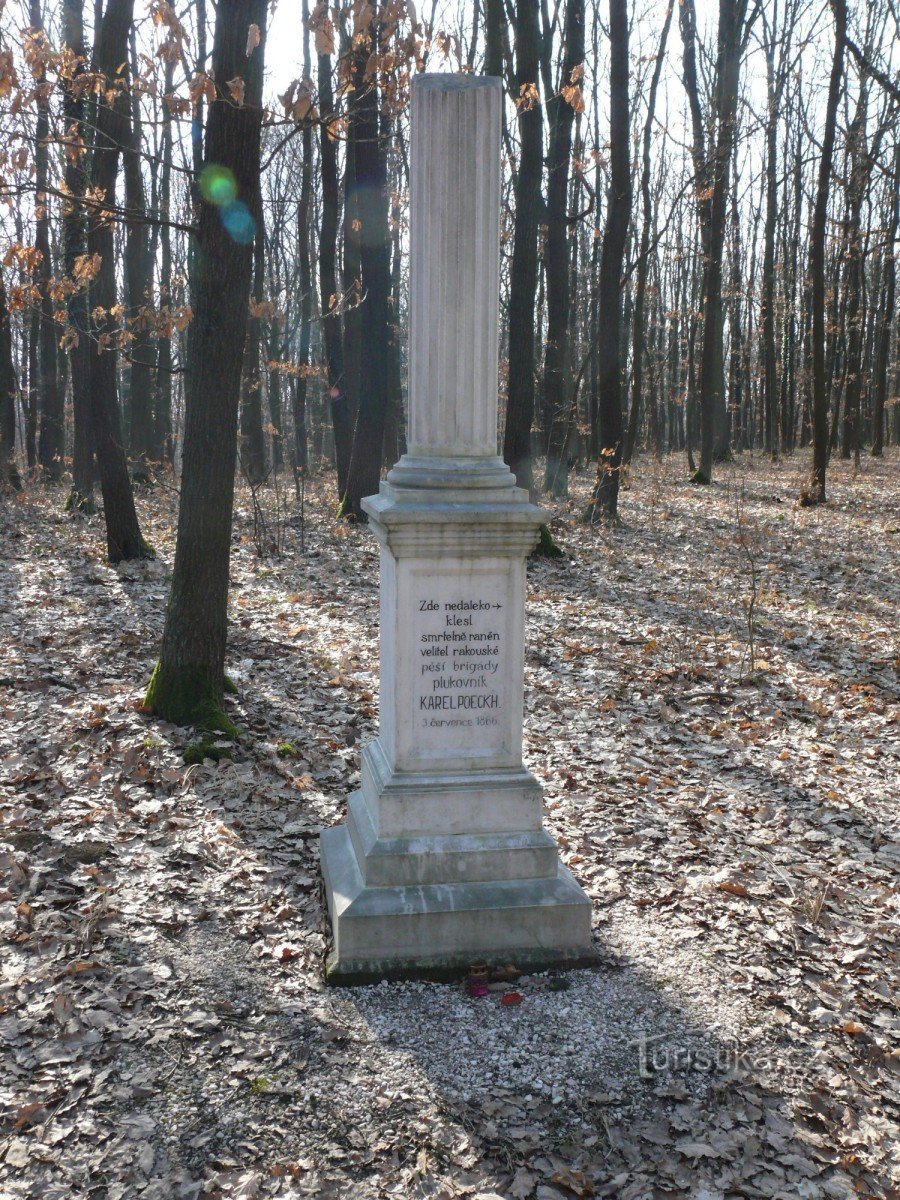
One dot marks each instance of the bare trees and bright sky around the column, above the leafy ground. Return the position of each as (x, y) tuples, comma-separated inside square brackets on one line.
[(700, 229)]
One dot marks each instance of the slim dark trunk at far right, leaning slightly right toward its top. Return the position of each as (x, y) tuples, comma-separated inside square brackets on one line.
[(815, 493)]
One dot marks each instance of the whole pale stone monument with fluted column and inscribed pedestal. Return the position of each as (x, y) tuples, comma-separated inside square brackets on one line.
[(443, 861)]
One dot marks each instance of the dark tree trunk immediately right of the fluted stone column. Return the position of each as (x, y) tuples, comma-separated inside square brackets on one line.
[(524, 271)]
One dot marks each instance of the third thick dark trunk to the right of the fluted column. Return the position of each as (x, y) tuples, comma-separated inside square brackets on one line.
[(605, 499)]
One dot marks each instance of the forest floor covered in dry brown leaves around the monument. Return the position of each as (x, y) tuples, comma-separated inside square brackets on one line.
[(712, 705)]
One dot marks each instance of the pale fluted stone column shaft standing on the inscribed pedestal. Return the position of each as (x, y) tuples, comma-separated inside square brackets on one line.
[(454, 266)]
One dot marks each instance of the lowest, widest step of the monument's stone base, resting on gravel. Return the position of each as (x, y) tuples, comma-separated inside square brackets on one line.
[(433, 931)]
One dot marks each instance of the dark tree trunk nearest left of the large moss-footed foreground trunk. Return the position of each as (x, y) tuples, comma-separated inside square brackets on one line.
[(124, 539)]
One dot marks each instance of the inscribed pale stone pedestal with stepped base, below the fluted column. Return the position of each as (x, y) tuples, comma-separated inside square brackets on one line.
[(445, 861)]
